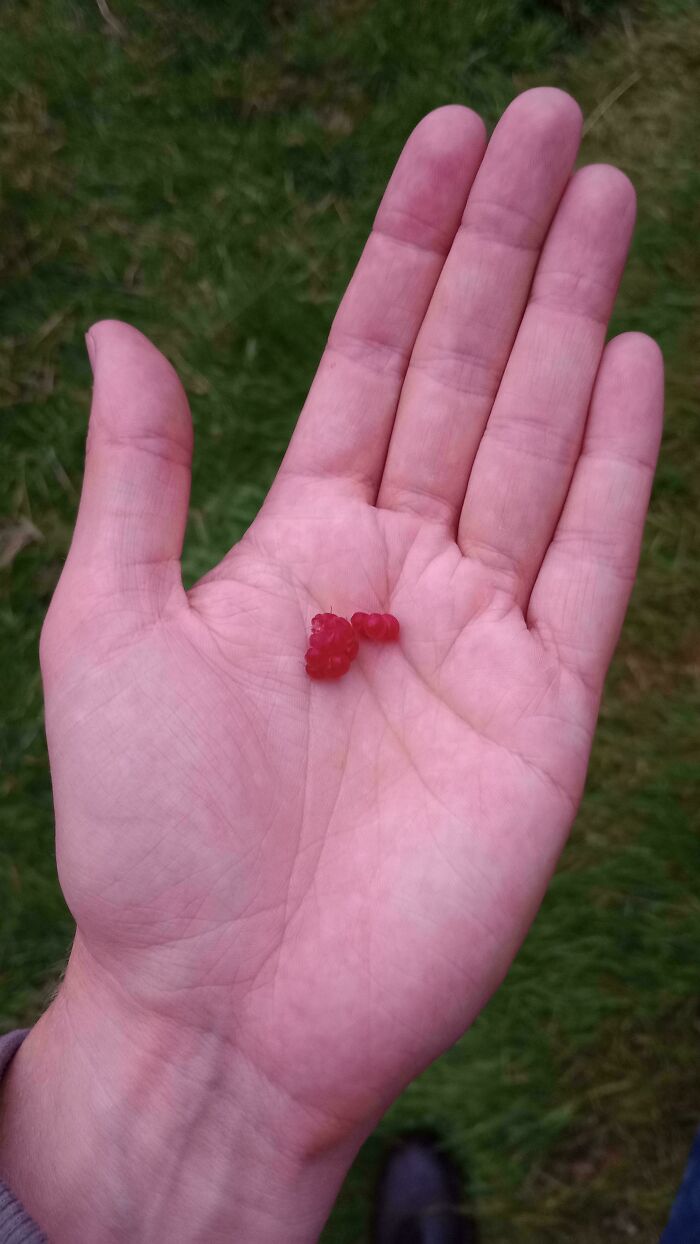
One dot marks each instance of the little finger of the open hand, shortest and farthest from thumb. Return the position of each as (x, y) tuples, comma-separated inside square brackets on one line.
[(581, 595)]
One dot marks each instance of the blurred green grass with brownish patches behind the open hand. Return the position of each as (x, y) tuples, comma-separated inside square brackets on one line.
[(210, 174)]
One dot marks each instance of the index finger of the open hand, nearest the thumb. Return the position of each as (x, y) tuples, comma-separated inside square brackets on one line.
[(346, 424)]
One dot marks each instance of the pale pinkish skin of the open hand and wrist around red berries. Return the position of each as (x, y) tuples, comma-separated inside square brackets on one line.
[(293, 896)]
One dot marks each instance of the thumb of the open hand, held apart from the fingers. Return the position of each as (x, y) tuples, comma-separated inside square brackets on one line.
[(135, 498)]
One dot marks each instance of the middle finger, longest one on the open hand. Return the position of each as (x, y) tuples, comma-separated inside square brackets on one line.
[(466, 340)]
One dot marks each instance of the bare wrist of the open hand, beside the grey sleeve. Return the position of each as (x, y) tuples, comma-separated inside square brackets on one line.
[(117, 1126)]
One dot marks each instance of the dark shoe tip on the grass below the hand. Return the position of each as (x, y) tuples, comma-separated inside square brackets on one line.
[(421, 1197)]
